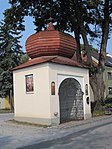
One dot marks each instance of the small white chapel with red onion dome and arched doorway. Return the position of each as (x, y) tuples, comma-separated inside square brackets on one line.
[(51, 88)]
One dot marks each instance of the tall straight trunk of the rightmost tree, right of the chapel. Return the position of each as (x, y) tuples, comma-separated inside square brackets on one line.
[(102, 55)]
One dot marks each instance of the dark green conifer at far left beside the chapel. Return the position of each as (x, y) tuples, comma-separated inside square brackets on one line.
[(10, 55)]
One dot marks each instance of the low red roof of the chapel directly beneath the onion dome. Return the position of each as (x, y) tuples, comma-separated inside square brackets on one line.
[(52, 59)]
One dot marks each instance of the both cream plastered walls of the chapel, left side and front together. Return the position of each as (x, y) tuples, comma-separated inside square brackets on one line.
[(41, 104)]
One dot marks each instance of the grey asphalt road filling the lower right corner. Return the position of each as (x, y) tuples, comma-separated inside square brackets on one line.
[(96, 137)]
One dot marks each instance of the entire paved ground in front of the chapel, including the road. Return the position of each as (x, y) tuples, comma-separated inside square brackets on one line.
[(90, 134)]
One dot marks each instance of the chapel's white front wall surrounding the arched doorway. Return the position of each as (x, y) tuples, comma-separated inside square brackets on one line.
[(60, 72)]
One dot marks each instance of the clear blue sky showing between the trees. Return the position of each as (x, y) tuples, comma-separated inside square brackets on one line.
[(29, 28)]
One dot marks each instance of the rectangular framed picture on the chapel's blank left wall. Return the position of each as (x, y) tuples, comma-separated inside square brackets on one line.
[(29, 83)]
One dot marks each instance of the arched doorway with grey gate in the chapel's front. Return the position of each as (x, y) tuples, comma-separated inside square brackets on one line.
[(71, 100)]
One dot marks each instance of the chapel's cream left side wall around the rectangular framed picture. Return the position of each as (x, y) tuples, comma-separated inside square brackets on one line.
[(37, 104)]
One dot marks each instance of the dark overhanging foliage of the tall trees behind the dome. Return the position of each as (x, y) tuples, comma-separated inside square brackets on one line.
[(89, 19)]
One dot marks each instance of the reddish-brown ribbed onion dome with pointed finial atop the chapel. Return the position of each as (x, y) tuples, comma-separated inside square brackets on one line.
[(50, 42)]
